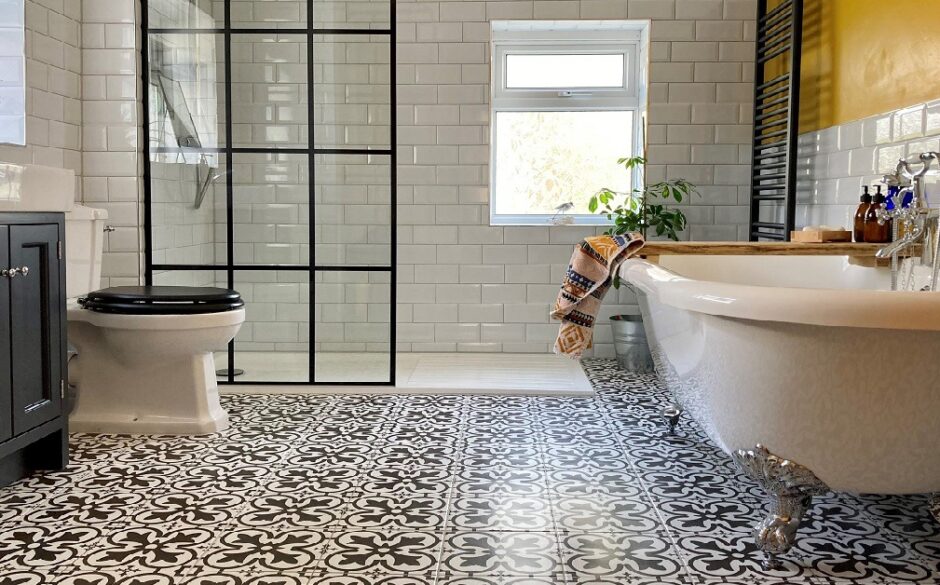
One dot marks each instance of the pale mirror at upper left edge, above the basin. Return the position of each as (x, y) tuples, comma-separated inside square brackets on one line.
[(12, 73)]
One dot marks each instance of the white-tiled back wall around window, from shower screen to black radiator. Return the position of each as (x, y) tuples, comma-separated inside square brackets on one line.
[(467, 286)]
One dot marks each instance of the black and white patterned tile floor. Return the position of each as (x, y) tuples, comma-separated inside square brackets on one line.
[(437, 490)]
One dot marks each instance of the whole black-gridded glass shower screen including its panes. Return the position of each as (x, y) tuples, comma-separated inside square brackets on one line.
[(270, 169)]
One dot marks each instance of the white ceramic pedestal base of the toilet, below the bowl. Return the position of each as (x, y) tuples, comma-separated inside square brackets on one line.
[(171, 397)]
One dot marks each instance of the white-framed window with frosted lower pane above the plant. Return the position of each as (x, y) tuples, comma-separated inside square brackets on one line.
[(566, 104)]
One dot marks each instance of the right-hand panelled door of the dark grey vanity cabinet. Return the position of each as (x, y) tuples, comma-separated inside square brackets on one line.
[(35, 323)]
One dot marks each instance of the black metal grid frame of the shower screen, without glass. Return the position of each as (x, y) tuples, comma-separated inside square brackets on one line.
[(230, 267)]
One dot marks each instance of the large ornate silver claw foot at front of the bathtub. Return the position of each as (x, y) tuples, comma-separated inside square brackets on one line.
[(790, 488)]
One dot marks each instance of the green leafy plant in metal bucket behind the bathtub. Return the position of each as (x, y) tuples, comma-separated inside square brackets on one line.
[(640, 210)]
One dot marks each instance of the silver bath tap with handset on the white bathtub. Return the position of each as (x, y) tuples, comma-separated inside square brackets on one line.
[(914, 224)]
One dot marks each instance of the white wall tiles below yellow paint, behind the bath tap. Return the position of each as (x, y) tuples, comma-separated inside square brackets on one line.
[(835, 163)]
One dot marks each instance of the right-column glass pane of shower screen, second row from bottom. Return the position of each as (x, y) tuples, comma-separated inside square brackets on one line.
[(353, 210)]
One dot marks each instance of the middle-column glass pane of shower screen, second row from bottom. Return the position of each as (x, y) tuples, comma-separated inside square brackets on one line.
[(271, 197)]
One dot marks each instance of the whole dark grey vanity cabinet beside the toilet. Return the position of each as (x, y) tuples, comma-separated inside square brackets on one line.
[(32, 344)]
